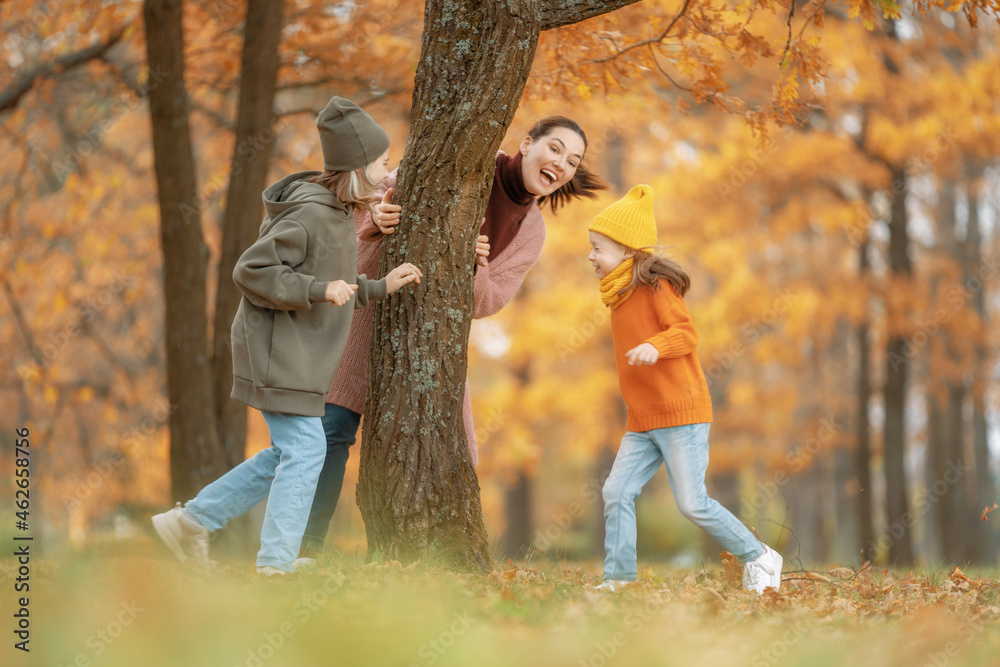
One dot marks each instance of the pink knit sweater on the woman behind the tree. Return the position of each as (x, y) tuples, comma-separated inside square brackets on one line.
[(495, 285)]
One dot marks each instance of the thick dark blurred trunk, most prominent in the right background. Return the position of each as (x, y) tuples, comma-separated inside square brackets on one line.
[(898, 518)]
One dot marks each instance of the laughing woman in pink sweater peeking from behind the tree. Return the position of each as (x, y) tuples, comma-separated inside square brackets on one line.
[(547, 169)]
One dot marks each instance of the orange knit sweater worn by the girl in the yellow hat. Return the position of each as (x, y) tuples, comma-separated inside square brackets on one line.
[(673, 391)]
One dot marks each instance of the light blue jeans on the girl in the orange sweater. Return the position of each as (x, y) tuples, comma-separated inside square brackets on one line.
[(685, 451)]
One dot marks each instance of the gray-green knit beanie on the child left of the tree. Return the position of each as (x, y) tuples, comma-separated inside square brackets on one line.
[(349, 137)]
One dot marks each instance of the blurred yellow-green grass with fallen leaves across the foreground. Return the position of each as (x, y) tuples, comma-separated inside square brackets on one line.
[(135, 607)]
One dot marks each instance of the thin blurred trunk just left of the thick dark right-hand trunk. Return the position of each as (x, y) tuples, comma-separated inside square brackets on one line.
[(863, 455)]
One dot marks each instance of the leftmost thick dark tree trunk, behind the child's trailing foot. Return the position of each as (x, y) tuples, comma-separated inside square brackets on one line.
[(195, 455)]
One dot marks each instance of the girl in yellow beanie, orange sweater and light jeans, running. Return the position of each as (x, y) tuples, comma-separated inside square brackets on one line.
[(669, 407)]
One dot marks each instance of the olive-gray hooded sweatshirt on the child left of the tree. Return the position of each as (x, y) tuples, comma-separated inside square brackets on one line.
[(287, 339)]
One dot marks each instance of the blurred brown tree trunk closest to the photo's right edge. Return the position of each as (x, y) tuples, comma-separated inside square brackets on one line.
[(983, 547)]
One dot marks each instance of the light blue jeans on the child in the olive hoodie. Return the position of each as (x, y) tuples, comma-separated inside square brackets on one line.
[(285, 473)]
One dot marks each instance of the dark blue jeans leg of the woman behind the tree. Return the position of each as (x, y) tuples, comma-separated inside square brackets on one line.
[(341, 427)]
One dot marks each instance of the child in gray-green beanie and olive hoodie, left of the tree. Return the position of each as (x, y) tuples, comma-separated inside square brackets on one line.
[(288, 338)]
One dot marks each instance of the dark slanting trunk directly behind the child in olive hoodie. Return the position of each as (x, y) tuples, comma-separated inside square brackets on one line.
[(244, 208)]
